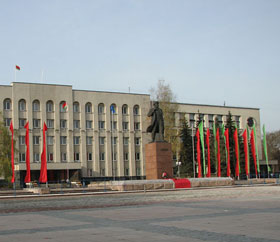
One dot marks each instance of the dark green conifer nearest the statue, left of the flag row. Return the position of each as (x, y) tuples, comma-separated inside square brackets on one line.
[(186, 149)]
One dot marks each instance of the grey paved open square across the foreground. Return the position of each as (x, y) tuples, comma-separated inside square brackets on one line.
[(221, 214)]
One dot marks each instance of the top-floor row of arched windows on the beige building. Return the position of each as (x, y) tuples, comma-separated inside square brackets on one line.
[(63, 107)]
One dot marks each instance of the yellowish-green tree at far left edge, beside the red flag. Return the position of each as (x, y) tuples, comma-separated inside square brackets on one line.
[(5, 152)]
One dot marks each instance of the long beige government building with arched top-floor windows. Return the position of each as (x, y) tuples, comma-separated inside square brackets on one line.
[(91, 133)]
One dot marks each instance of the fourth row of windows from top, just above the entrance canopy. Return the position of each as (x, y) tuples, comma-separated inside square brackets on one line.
[(63, 156)]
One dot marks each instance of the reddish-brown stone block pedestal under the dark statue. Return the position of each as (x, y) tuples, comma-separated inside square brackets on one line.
[(158, 160)]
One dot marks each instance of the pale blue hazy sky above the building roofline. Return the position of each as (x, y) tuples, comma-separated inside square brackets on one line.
[(208, 51)]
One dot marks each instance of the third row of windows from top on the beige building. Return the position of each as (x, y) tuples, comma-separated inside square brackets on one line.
[(76, 140)]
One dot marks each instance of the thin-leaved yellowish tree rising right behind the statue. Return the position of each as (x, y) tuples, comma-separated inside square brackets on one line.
[(166, 98)]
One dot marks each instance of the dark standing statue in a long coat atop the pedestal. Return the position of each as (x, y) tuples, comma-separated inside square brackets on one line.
[(157, 123)]
